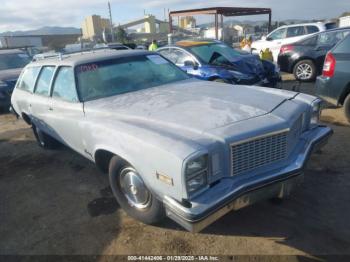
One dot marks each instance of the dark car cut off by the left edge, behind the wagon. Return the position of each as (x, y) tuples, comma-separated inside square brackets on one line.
[(12, 62)]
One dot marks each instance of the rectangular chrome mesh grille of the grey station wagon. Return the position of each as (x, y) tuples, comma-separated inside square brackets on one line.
[(257, 152)]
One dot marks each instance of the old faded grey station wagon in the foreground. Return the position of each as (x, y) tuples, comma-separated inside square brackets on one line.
[(172, 145)]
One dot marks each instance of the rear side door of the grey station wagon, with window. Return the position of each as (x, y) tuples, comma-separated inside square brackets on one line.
[(39, 104)]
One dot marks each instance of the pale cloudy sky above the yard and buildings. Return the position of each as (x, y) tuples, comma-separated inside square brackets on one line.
[(33, 14)]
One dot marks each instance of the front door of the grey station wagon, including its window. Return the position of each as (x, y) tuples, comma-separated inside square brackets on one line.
[(66, 112)]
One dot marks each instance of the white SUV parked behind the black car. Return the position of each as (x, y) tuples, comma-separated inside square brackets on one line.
[(285, 35)]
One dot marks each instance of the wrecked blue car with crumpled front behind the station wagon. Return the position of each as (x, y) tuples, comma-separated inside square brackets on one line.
[(215, 61)]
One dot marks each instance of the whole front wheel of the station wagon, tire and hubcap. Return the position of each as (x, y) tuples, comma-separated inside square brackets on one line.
[(148, 209)]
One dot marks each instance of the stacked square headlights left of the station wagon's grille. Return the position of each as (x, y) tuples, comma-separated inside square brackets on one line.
[(196, 171)]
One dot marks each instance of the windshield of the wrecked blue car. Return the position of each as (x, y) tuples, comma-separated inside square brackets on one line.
[(216, 53)]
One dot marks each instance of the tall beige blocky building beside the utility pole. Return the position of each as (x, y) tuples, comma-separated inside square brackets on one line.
[(94, 26)]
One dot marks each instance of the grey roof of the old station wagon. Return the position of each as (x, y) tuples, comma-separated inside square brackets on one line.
[(87, 57)]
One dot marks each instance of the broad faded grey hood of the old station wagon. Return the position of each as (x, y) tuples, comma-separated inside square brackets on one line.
[(189, 105)]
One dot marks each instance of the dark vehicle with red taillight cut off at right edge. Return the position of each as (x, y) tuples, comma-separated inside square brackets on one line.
[(334, 84)]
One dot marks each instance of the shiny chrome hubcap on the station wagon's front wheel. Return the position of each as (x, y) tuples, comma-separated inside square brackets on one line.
[(134, 189)]
